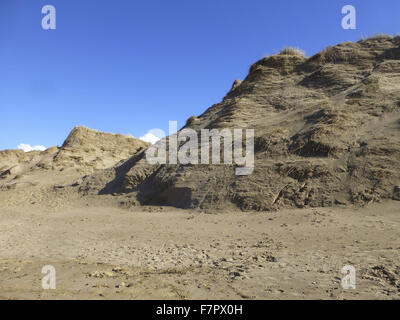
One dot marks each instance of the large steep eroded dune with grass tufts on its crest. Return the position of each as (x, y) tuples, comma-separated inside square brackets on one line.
[(327, 131)]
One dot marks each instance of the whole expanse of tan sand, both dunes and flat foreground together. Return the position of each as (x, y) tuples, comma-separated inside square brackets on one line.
[(324, 193)]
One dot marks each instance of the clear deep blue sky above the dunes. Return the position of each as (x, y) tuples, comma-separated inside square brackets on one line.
[(128, 66)]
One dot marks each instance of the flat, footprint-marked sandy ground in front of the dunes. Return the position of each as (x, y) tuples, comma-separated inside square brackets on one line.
[(165, 253)]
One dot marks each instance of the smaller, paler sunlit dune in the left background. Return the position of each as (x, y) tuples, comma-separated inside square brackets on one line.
[(84, 151)]
